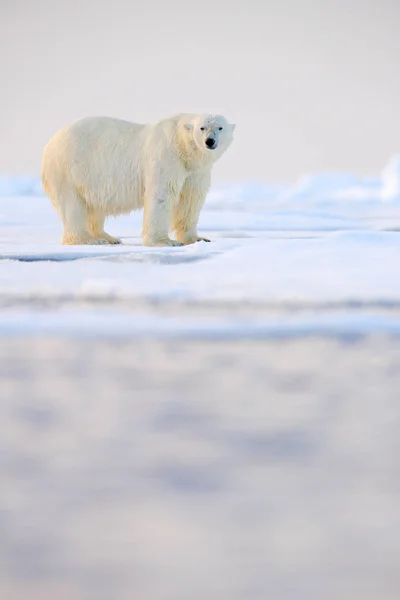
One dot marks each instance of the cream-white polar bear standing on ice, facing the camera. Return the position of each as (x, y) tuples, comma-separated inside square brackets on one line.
[(101, 166)]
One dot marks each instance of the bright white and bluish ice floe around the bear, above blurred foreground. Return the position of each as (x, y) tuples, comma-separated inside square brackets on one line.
[(330, 240)]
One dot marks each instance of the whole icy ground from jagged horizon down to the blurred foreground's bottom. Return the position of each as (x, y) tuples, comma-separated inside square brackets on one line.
[(214, 422)]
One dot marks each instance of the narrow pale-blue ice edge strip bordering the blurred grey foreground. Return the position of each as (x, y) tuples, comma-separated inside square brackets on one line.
[(200, 327)]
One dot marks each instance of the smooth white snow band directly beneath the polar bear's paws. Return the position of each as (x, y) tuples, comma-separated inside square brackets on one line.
[(341, 267)]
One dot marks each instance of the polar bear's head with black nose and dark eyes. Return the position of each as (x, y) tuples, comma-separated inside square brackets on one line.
[(210, 133)]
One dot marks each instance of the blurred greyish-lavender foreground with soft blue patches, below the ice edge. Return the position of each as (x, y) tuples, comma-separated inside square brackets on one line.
[(226, 471)]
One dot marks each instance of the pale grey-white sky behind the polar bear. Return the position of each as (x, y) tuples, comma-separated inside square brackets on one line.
[(312, 85)]
